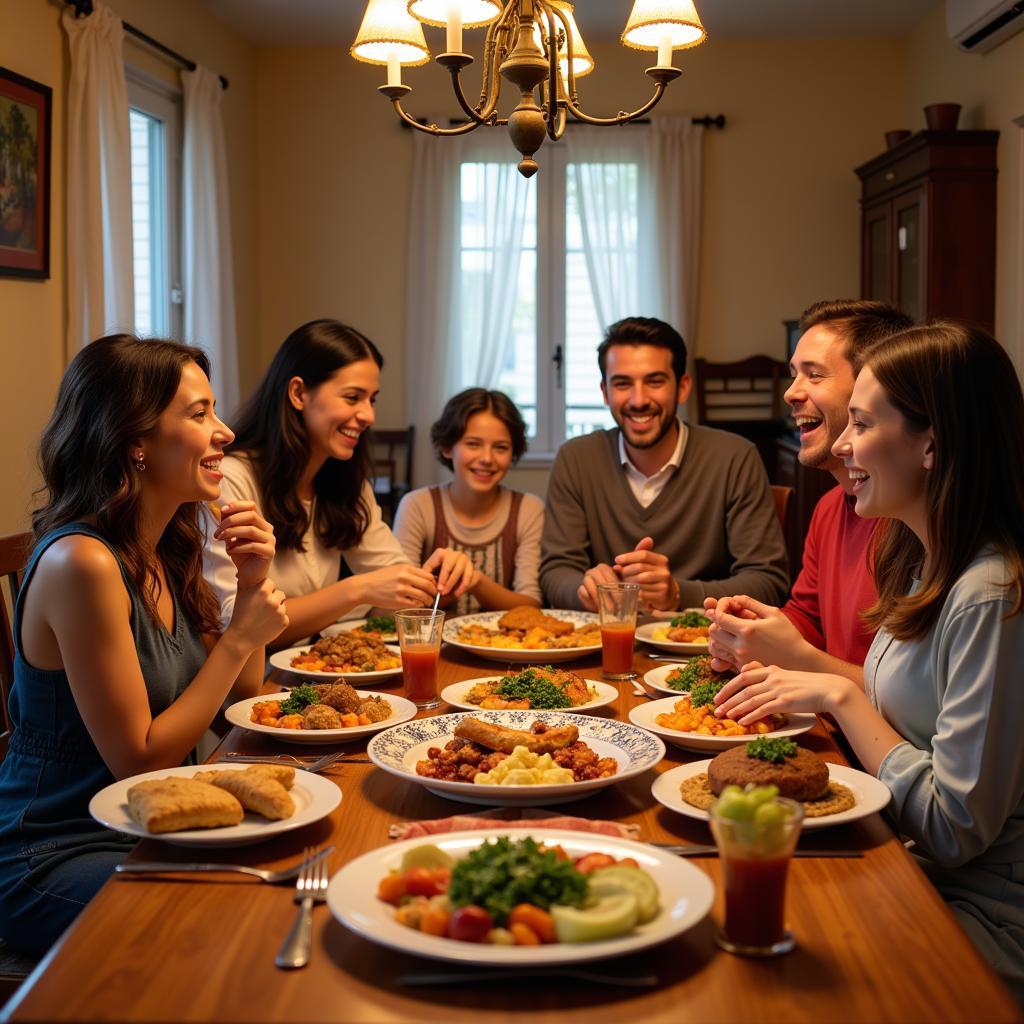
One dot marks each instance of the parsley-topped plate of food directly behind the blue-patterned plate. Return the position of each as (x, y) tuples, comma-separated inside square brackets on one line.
[(541, 689)]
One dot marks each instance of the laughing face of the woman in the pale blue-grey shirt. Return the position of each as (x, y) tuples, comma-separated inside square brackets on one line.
[(888, 463)]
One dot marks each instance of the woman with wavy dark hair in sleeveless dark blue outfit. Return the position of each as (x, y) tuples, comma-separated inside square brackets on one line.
[(121, 664)]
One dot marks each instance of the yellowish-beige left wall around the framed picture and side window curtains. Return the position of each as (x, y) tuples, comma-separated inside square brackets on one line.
[(33, 315)]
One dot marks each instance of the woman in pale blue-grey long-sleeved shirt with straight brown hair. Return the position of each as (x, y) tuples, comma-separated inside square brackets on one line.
[(935, 444)]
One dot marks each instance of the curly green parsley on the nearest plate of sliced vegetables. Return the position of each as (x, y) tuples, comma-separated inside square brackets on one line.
[(501, 875)]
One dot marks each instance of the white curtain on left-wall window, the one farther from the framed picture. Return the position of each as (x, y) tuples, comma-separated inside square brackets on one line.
[(206, 242)]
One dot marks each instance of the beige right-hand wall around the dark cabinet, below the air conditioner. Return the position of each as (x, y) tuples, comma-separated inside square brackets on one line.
[(991, 88)]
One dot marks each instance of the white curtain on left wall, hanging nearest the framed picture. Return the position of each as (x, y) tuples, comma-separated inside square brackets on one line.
[(101, 295)]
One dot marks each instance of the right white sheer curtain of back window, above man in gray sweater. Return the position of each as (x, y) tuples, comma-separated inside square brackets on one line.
[(648, 267)]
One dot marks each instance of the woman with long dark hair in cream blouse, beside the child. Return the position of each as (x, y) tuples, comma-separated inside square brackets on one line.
[(300, 455)]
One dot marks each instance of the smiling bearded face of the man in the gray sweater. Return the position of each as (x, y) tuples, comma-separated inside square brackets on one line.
[(642, 391)]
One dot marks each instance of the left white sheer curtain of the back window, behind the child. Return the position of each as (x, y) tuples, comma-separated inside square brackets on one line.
[(455, 338)]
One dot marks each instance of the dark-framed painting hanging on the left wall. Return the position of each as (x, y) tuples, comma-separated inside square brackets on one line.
[(25, 177)]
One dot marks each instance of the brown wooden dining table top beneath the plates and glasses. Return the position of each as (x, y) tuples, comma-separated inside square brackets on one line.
[(875, 941)]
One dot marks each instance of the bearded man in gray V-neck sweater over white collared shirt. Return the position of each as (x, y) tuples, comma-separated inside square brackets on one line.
[(687, 513)]
